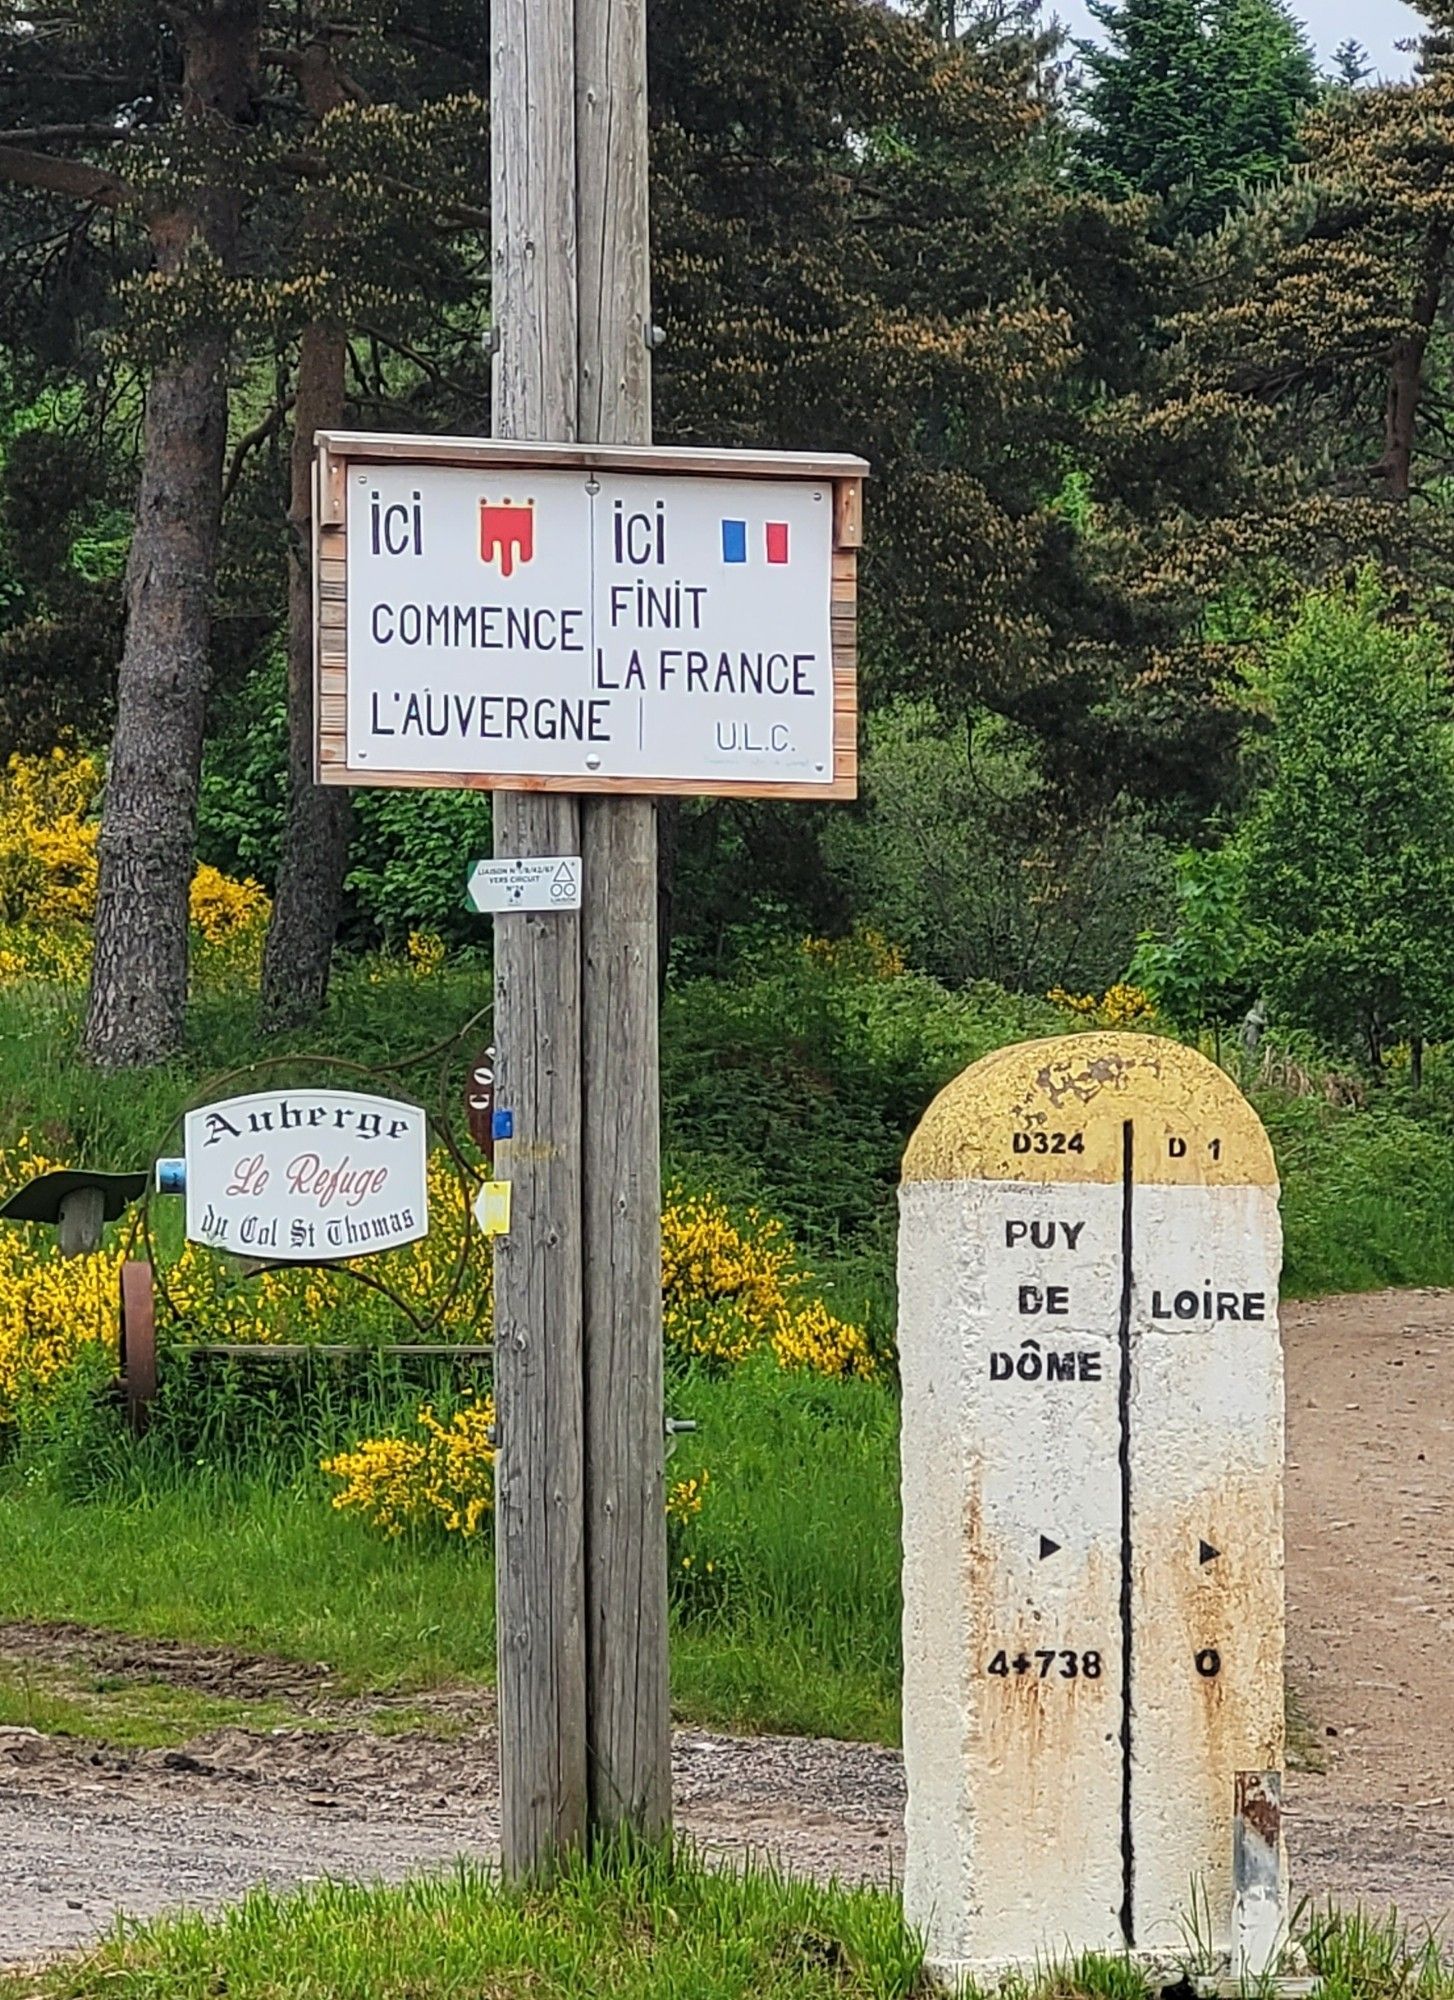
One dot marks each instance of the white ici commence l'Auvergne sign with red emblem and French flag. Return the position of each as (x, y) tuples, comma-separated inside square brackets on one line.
[(553, 625)]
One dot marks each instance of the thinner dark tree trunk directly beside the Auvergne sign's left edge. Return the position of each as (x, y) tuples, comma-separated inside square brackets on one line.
[(315, 853)]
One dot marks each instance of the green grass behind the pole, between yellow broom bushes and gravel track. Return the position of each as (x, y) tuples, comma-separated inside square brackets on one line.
[(785, 1621)]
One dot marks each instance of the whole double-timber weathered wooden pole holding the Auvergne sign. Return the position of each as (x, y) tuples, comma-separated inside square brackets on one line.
[(581, 1535)]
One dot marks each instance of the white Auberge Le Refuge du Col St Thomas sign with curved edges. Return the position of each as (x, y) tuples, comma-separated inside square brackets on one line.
[(307, 1175)]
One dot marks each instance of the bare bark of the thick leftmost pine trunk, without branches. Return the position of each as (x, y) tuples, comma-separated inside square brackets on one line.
[(149, 817)]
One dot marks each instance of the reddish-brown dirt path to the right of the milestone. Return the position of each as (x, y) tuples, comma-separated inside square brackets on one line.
[(1371, 1597)]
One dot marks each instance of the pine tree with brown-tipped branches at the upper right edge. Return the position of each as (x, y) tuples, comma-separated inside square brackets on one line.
[(1325, 329)]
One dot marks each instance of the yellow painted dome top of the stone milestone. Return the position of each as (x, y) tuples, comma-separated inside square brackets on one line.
[(1081, 1107)]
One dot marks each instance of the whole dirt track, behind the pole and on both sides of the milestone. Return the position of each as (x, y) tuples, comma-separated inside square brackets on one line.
[(1371, 1599)]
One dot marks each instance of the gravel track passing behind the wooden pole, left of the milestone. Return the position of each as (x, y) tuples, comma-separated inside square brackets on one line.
[(87, 1833)]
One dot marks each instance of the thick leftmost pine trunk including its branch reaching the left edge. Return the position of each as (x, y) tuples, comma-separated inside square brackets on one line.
[(183, 191)]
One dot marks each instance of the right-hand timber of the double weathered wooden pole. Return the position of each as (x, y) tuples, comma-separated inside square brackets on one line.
[(629, 1691)]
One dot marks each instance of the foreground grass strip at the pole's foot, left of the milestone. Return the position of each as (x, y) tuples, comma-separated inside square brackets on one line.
[(641, 1929)]
